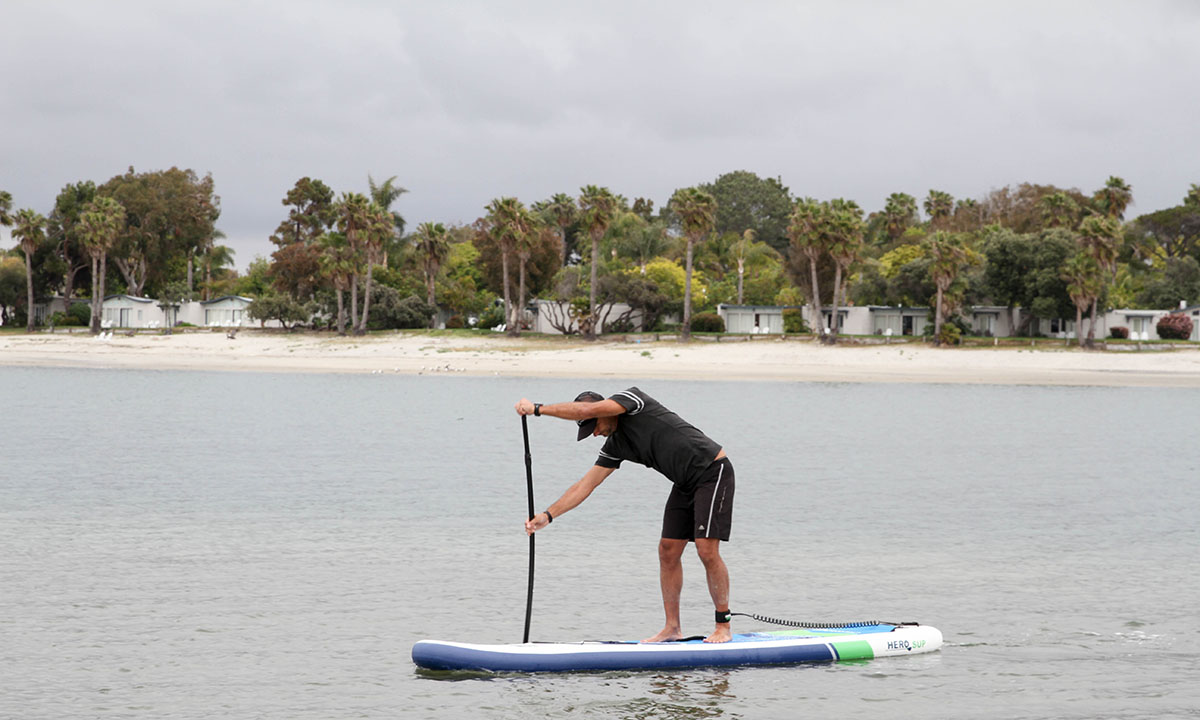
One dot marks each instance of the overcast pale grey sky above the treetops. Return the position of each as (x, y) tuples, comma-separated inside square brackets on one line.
[(467, 101)]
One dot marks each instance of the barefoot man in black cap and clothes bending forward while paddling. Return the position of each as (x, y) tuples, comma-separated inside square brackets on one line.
[(700, 508)]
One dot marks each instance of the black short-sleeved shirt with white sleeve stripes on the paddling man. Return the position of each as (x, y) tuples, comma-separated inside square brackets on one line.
[(651, 435)]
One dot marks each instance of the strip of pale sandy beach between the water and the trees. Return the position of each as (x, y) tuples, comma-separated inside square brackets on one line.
[(765, 359)]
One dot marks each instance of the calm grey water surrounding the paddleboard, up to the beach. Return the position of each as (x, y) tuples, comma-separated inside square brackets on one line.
[(199, 545)]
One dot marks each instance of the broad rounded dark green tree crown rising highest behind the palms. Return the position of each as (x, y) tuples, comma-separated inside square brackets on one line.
[(745, 201)]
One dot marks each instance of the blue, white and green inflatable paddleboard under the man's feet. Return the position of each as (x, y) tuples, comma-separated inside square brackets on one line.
[(766, 647)]
